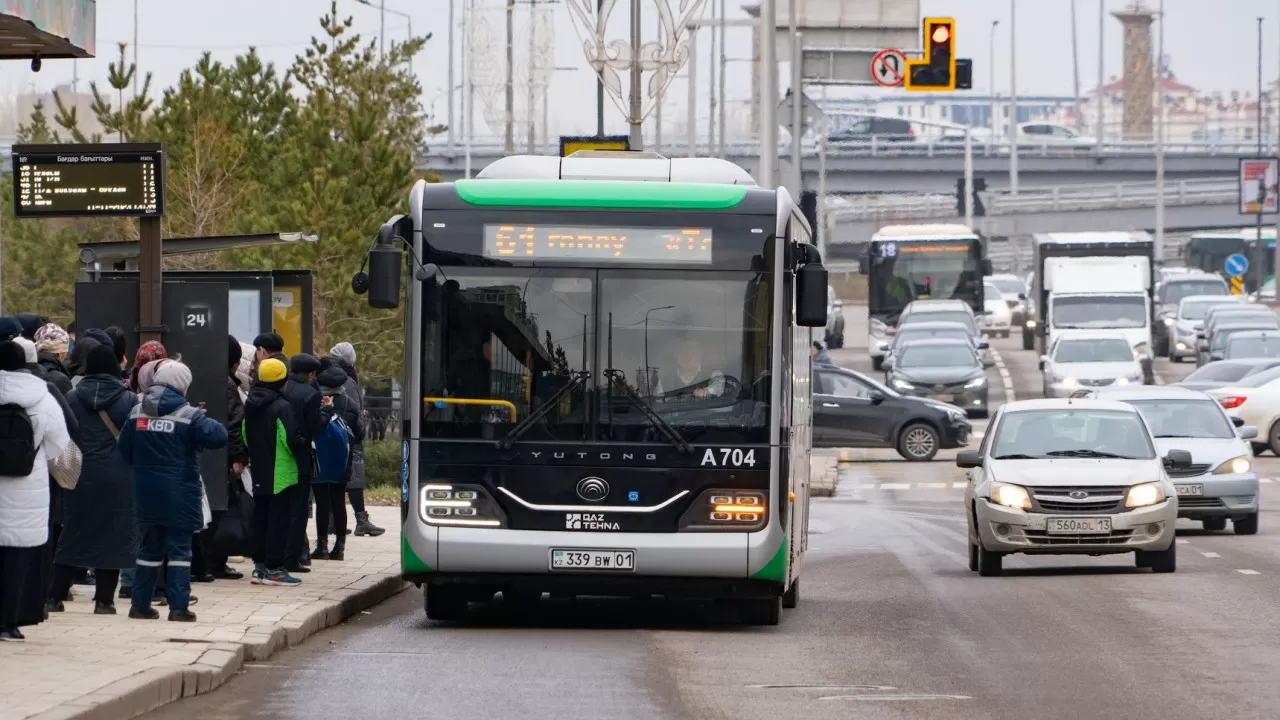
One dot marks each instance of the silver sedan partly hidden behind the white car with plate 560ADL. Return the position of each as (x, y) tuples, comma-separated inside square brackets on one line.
[(1222, 484)]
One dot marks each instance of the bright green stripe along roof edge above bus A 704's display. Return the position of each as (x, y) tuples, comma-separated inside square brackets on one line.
[(601, 194)]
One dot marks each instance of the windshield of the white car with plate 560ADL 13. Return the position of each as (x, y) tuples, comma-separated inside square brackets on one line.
[(1072, 432)]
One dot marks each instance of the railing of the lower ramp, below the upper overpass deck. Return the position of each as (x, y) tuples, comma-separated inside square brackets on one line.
[(1203, 192)]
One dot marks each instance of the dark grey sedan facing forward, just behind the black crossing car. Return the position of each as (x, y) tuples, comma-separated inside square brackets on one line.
[(944, 370)]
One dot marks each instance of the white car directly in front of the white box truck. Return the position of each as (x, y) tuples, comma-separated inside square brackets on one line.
[(1085, 361)]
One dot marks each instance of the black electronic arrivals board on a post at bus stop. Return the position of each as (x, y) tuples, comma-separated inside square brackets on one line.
[(88, 183)]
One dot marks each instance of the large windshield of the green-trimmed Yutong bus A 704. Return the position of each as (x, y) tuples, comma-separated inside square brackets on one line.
[(570, 348)]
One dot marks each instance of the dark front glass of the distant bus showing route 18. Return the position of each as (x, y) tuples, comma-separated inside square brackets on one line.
[(900, 272)]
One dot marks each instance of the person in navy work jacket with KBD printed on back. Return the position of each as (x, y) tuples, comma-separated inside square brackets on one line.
[(163, 441)]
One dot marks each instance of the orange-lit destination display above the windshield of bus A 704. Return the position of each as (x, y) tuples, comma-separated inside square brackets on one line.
[(605, 244)]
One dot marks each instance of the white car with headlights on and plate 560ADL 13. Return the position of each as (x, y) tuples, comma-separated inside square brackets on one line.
[(1071, 477)]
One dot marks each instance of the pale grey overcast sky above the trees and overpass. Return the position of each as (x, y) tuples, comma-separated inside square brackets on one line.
[(1212, 48)]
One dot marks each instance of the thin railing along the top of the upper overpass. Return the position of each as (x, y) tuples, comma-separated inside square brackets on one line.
[(935, 148)]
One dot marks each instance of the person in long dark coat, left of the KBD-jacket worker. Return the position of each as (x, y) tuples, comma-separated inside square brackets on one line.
[(99, 531)]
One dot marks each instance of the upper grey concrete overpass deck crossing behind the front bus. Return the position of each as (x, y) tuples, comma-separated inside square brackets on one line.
[(935, 166)]
